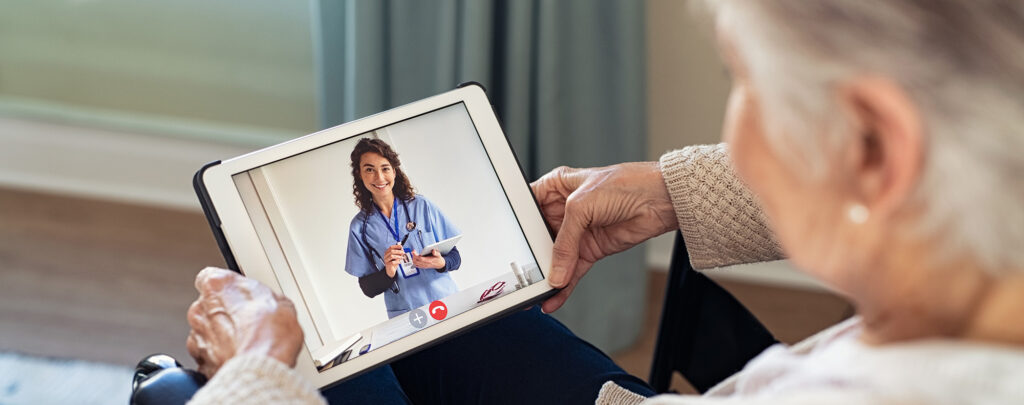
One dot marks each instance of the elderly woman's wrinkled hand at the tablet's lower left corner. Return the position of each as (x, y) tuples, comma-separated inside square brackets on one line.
[(235, 316)]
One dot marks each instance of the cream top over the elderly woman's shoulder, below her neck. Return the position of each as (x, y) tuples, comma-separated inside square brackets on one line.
[(843, 366)]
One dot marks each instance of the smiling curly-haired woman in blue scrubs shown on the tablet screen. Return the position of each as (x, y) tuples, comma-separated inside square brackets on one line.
[(390, 213)]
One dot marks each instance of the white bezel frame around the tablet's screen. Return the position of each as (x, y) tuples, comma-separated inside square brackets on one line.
[(241, 236)]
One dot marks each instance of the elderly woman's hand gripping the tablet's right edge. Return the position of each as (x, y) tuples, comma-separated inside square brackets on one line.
[(598, 213)]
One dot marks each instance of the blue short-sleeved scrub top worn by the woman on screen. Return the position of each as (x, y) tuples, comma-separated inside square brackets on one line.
[(432, 228)]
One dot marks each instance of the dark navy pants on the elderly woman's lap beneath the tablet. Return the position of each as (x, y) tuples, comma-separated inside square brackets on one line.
[(525, 358)]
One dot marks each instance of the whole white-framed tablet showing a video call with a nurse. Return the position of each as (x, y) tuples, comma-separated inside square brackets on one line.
[(323, 219)]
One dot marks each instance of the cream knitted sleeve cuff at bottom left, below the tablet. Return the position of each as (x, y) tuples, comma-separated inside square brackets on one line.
[(257, 380)]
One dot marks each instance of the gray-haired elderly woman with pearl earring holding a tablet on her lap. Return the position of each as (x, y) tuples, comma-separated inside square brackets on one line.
[(881, 141)]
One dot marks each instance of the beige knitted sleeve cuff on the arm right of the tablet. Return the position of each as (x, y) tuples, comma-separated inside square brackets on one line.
[(720, 221)]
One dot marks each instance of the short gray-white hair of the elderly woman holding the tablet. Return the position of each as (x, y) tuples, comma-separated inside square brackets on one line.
[(962, 63)]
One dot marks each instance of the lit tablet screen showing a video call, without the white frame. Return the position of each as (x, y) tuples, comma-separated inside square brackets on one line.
[(343, 227)]
